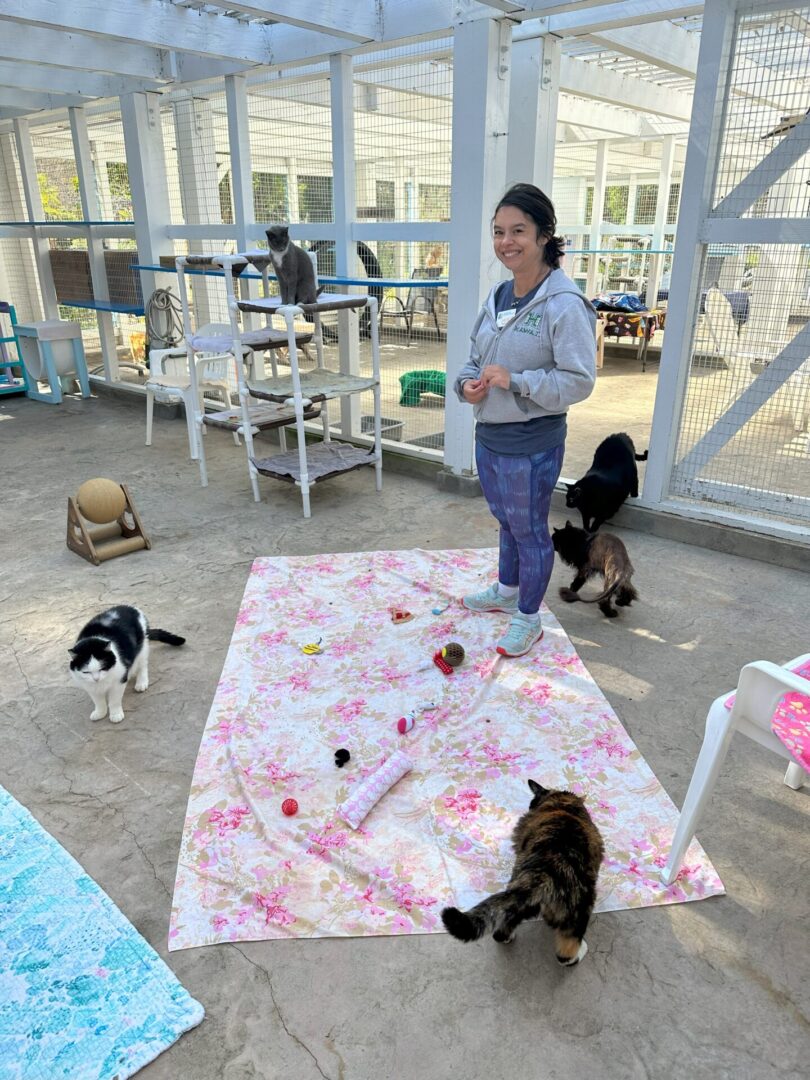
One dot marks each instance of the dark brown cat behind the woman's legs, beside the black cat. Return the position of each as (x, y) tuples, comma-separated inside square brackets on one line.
[(597, 553)]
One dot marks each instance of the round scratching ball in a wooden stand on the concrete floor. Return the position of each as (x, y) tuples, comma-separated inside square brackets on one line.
[(118, 530)]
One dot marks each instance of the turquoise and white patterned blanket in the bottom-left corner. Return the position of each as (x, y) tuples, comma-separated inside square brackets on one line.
[(83, 995)]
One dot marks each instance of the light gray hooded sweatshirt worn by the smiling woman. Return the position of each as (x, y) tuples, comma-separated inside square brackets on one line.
[(550, 348)]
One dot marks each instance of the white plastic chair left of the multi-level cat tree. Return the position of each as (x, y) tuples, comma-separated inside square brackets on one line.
[(170, 379)]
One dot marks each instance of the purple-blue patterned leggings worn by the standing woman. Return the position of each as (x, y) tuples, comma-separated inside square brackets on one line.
[(519, 493)]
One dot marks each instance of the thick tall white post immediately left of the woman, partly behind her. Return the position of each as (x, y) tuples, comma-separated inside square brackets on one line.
[(481, 77)]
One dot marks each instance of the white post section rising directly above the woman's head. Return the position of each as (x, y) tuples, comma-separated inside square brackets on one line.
[(533, 111)]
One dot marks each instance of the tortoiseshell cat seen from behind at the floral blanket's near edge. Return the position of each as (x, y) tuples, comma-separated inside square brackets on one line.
[(558, 856)]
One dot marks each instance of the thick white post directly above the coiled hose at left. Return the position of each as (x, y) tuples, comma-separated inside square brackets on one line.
[(146, 168)]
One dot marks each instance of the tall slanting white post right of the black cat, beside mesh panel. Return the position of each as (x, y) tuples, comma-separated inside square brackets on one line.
[(711, 89)]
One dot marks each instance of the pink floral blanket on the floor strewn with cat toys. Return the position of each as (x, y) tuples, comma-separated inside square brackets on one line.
[(441, 835)]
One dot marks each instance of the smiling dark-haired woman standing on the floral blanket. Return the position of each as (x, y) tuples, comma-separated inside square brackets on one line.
[(534, 355)]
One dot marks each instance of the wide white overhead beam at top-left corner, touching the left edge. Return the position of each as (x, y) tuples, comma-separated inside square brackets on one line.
[(44, 46)]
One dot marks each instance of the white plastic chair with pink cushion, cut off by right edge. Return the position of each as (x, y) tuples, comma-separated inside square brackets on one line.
[(761, 688)]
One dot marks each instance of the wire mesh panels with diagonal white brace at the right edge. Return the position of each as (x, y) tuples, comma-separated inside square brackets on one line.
[(744, 439)]
